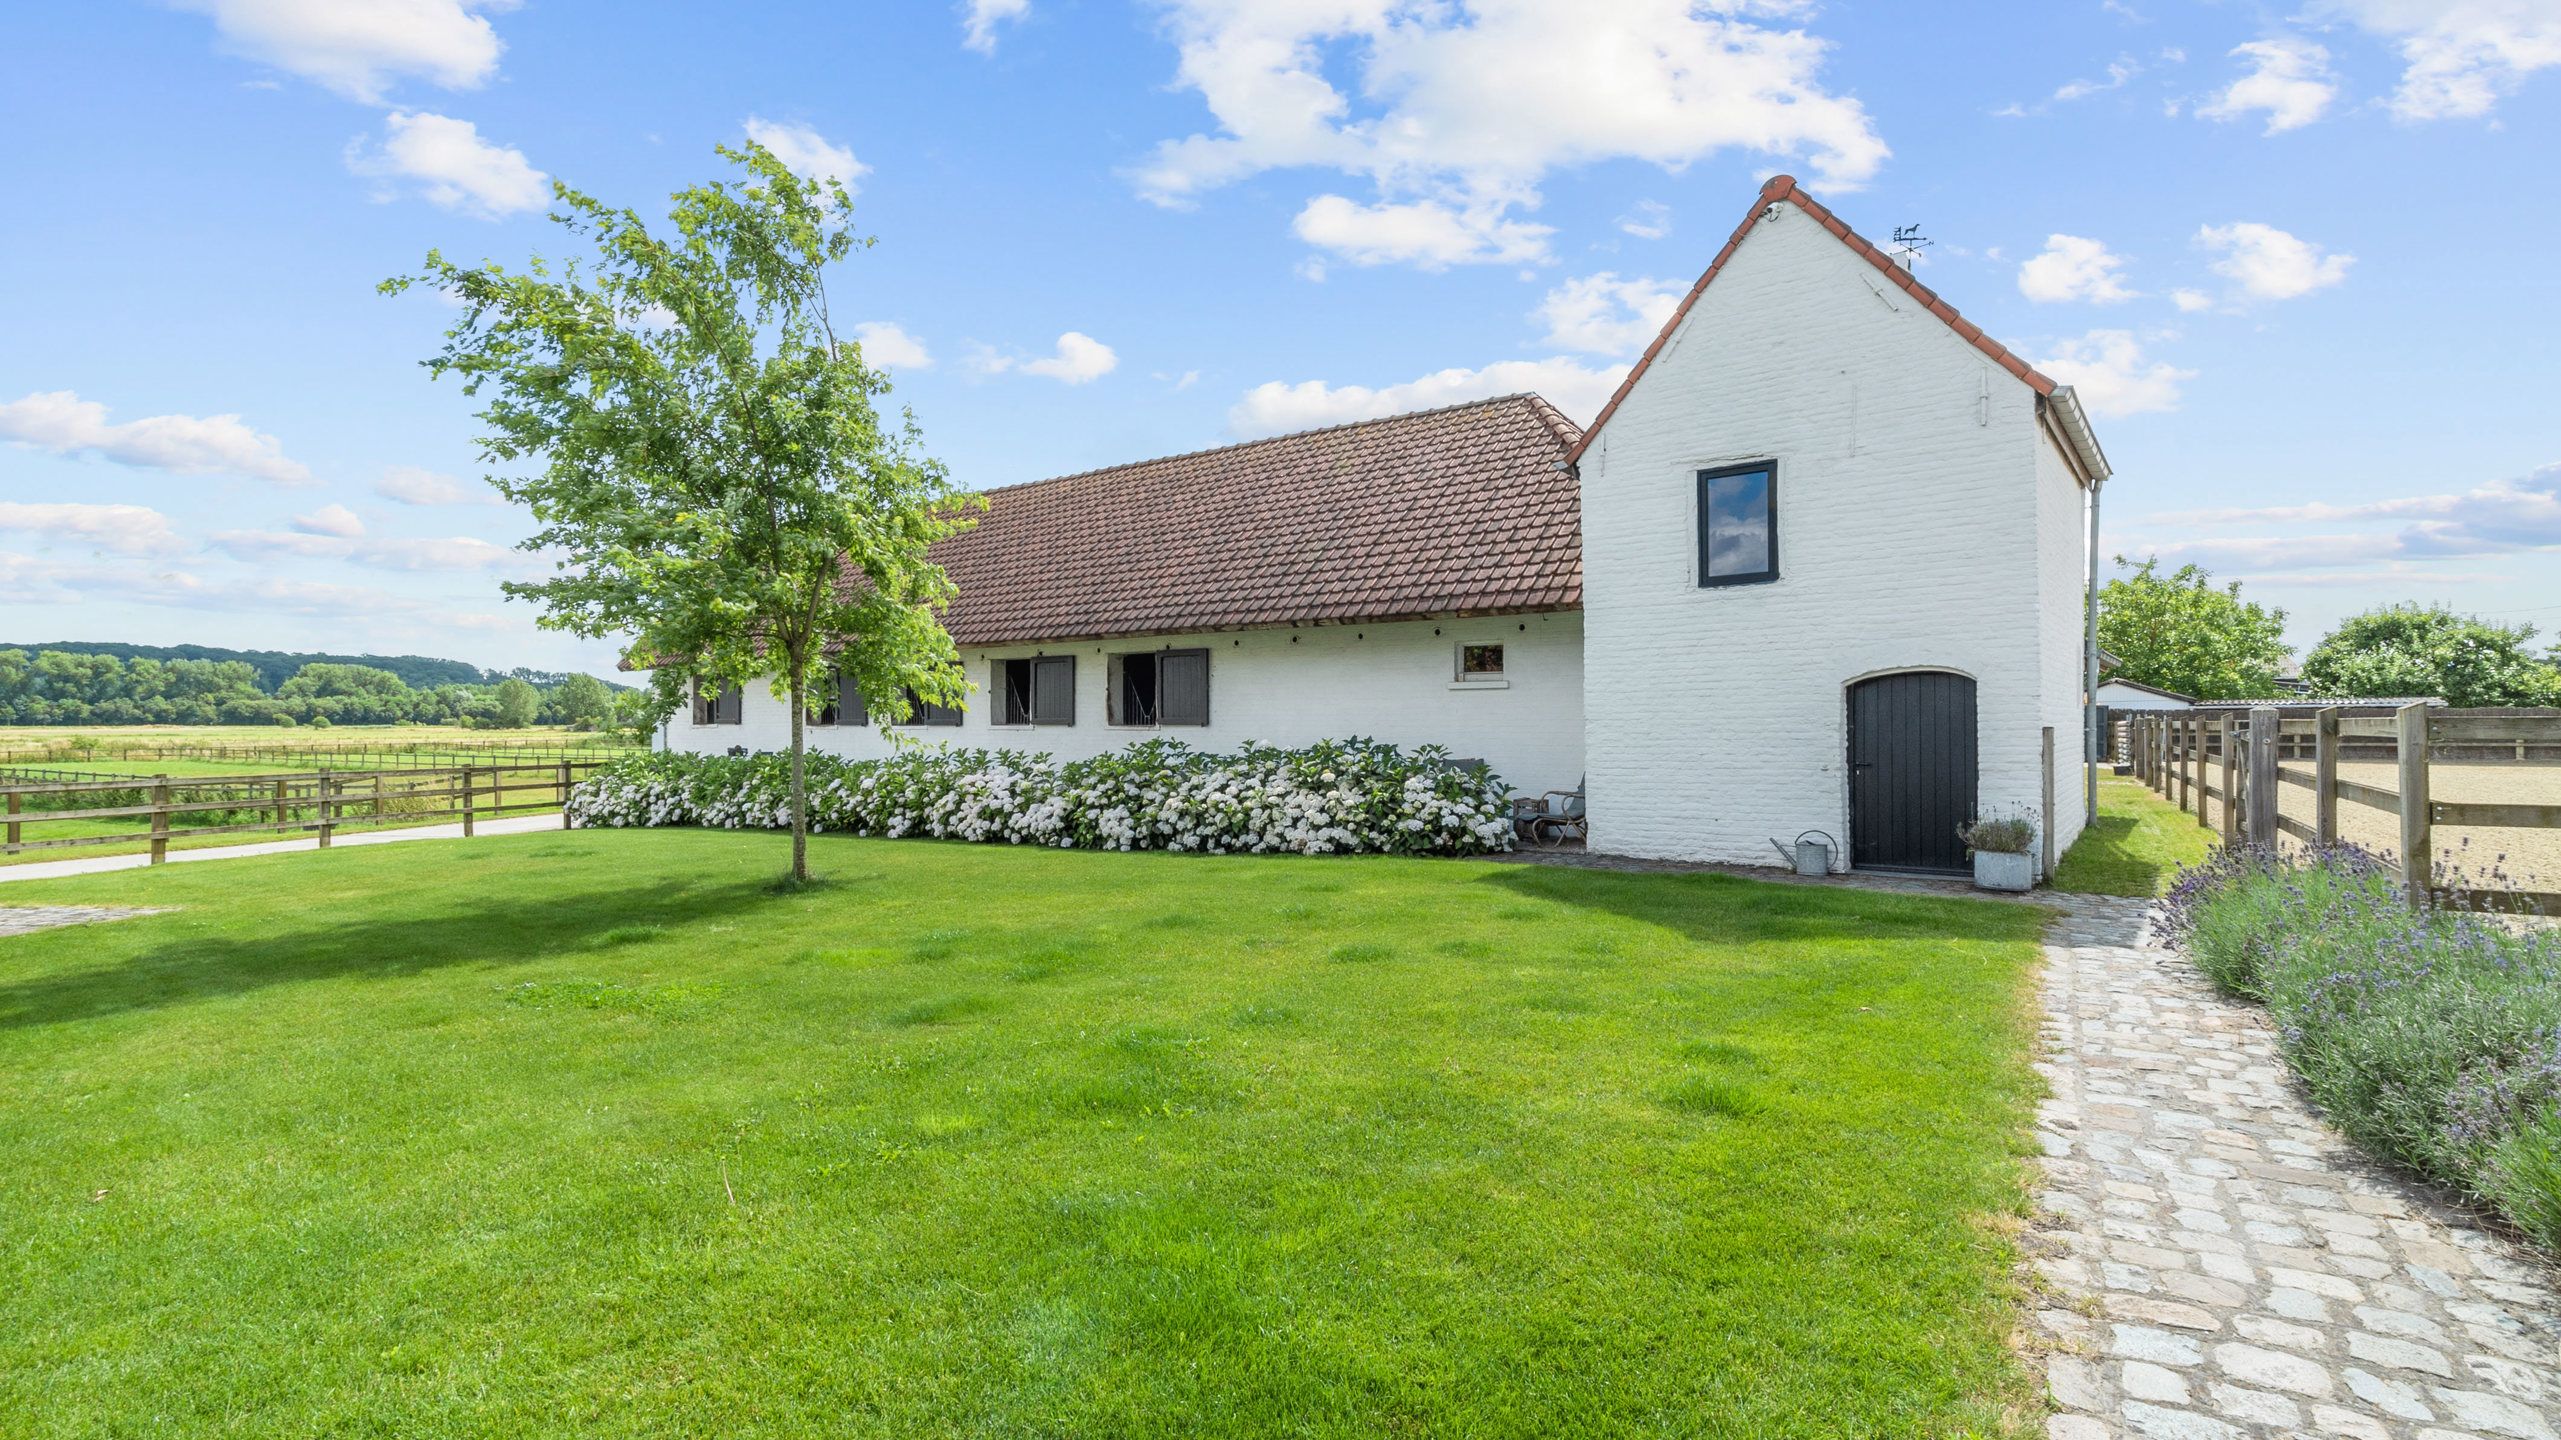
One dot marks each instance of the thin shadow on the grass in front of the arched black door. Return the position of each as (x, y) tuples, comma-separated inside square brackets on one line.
[(1733, 911)]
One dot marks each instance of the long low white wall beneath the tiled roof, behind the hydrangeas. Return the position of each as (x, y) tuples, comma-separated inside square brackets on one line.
[(1287, 688)]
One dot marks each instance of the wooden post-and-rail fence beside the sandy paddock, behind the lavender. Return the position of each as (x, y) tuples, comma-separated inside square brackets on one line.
[(2232, 773)]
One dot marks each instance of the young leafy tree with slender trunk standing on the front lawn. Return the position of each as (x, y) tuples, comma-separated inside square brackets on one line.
[(713, 468)]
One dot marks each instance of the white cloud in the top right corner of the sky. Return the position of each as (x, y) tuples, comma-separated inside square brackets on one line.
[(2460, 55)]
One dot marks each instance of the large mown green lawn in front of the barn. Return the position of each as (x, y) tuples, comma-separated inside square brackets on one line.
[(601, 1136)]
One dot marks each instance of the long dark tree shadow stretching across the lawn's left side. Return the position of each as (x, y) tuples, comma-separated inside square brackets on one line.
[(444, 931)]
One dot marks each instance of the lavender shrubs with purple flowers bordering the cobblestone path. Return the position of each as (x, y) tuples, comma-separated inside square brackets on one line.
[(2432, 1039)]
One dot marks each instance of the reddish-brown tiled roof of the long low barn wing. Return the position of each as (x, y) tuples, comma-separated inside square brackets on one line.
[(1456, 511)]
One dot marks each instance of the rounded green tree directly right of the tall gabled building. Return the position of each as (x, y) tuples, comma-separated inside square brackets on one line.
[(2188, 634)]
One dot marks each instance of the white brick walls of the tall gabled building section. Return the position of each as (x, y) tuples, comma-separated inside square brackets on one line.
[(1914, 534)]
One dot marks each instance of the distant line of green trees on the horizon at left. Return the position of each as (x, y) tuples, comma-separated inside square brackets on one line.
[(68, 688)]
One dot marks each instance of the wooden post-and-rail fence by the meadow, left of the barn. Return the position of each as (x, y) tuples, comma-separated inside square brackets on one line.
[(324, 803)]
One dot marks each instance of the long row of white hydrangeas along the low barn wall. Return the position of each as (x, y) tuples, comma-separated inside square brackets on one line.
[(1320, 801)]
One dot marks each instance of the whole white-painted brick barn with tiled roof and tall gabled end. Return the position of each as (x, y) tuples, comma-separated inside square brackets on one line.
[(1820, 565)]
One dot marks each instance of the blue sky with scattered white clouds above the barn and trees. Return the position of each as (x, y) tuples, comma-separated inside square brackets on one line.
[(2296, 258)]
